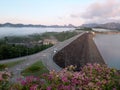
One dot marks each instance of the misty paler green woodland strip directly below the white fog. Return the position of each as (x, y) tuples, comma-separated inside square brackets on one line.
[(60, 36)]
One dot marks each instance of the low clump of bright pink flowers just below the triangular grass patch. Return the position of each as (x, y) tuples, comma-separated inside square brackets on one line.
[(29, 83)]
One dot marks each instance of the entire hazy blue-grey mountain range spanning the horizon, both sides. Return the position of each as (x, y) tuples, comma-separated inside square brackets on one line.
[(111, 26)]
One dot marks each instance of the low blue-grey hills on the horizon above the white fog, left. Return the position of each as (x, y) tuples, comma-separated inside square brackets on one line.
[(31, 25)]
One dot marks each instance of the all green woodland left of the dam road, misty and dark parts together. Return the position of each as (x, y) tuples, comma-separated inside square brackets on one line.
[(8, 51)]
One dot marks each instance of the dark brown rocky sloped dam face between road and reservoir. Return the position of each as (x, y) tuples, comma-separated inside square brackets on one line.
[(80, 52)]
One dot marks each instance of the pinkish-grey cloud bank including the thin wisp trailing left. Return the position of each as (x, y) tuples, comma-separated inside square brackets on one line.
[(106, 11)]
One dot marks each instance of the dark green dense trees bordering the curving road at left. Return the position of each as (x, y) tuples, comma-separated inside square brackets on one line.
[(11, 51)]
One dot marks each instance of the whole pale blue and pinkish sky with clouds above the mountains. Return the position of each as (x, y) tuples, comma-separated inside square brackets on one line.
[(59, 12)]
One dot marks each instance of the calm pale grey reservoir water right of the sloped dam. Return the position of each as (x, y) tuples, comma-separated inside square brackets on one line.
[(109, 47)]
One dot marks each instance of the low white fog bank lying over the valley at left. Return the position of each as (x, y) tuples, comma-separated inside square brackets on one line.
[(28, 31)]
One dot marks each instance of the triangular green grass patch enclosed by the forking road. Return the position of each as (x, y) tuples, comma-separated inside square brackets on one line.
[(35, 69)]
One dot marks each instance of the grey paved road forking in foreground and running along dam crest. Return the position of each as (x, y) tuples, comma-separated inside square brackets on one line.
[(45, 56)]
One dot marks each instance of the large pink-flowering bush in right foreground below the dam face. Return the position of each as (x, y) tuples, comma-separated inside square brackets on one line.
[(91, 77)]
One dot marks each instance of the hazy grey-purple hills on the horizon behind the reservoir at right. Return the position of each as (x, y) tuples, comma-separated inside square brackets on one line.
[(111, 26)]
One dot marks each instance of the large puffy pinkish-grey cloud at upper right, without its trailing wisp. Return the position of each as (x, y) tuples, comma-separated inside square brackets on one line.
[(107, 9)]
